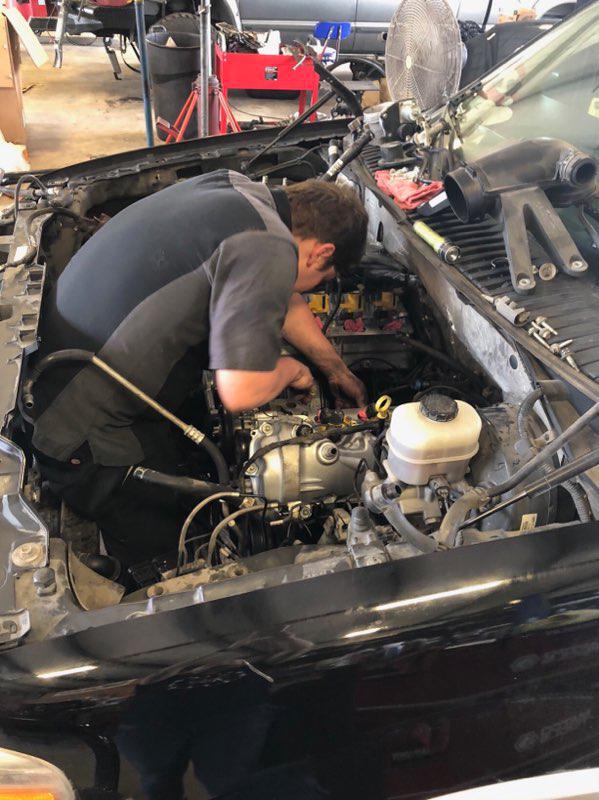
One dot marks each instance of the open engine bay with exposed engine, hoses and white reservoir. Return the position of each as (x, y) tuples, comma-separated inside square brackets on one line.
[(315, 488)]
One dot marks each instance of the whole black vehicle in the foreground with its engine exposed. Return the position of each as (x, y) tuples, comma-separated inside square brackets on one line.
[(402, 653)]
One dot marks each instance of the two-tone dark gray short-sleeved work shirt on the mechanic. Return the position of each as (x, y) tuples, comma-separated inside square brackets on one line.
[(197, 275)]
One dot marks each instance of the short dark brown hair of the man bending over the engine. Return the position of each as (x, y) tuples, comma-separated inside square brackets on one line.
[(332, 213)]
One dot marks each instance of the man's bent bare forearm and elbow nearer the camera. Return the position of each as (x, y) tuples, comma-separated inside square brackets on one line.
[(242, 390)]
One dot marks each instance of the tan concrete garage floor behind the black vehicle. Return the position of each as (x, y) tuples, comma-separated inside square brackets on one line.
[(81, 112)]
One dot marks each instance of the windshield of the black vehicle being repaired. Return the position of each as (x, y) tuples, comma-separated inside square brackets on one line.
[(551, 89)]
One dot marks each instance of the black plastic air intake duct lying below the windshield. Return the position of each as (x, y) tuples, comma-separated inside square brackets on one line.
[(520, 185)]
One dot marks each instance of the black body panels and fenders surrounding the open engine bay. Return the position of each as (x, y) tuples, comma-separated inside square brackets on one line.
[(366, 675)]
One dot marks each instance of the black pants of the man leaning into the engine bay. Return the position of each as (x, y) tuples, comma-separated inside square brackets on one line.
[(137, 521)]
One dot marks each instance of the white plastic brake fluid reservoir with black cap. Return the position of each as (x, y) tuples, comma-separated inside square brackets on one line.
[(437, 436)]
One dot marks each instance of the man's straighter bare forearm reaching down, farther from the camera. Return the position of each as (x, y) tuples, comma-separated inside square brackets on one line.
[(301, 330)]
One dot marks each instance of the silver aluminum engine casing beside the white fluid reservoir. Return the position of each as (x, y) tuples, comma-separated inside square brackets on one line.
[(305, 473)]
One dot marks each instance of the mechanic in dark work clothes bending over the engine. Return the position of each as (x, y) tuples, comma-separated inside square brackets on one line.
[(206, 273)]
